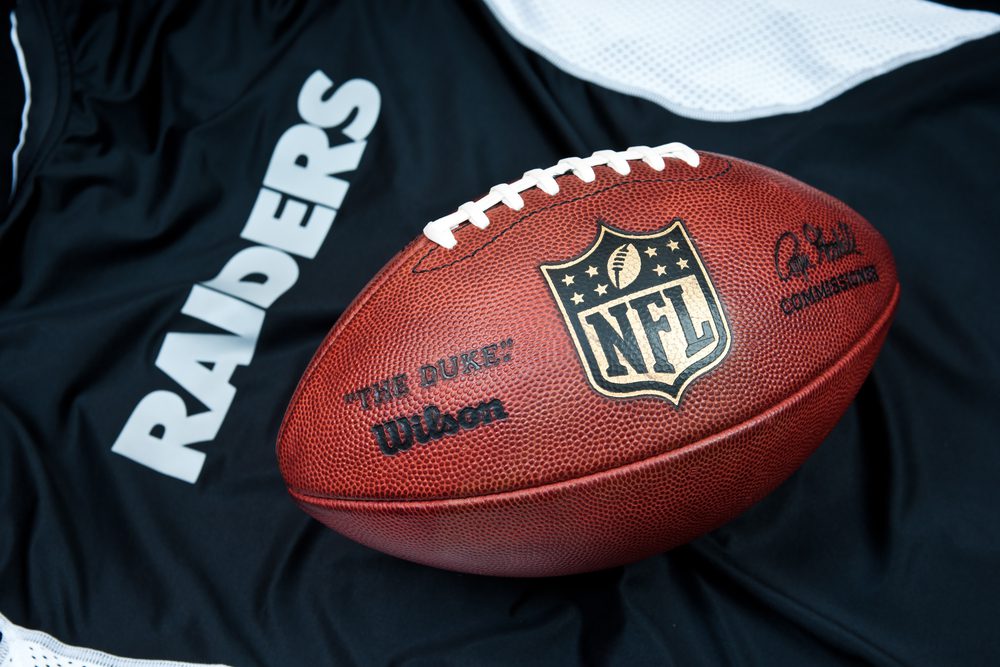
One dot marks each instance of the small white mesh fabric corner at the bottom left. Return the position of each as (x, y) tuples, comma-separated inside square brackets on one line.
[(20, 647)]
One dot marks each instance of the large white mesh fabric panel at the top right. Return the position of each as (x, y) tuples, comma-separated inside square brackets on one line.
[(736, 60)]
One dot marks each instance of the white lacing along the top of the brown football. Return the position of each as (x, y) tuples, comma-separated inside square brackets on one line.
[(474, 212)]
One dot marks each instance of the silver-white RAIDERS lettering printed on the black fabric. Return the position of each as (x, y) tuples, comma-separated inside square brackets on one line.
[(302, 191)]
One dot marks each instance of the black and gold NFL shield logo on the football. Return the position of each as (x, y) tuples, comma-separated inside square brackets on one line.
[(642, 311)]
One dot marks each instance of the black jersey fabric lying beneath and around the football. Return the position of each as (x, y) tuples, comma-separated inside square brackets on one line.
[(883, 549)]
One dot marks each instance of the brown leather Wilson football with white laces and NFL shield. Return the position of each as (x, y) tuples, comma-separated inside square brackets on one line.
[(590, 365)]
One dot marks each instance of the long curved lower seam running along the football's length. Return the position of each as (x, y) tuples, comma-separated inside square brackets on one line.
[(414, 503)]
